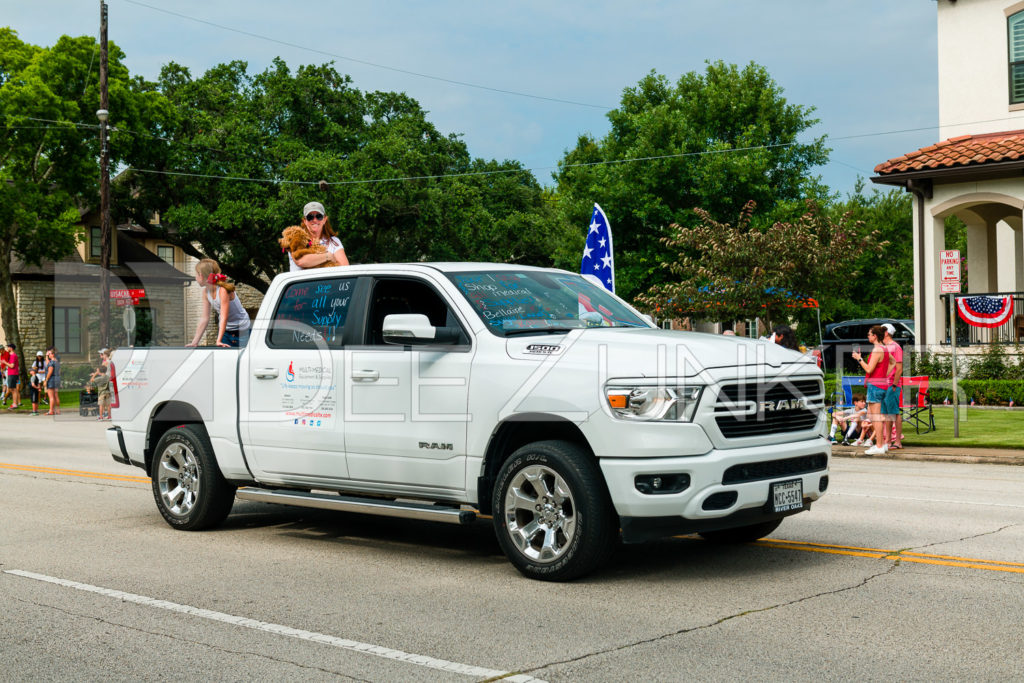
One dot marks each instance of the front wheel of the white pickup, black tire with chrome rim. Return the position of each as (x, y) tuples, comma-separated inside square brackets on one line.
[(552, 514)]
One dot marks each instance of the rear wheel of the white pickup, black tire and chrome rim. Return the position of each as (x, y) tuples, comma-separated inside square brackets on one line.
[(191, 492)]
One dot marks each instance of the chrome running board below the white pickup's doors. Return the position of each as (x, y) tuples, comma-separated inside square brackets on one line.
[(363, 505)]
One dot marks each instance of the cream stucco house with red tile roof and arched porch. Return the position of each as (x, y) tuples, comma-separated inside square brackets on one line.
[(976, 173)]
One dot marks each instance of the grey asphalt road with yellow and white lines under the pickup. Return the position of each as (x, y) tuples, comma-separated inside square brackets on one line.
[(906, 570)]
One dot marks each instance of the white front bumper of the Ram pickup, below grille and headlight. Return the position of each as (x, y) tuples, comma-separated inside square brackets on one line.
[(727, 488)]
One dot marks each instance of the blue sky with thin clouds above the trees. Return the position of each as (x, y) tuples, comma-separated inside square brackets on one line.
[(868, 67)]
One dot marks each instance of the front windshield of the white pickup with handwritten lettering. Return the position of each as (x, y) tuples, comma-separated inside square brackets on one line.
[(523, 303)]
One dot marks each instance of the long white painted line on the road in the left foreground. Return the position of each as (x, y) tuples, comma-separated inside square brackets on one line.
[(277, 629)]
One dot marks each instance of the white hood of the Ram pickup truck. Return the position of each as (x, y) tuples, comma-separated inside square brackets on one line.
[(653, 353)]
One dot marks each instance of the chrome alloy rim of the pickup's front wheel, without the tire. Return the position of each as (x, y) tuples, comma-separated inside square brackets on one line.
[(540, 514)]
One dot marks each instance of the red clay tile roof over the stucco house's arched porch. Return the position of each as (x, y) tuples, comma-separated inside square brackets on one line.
[(960, 152)]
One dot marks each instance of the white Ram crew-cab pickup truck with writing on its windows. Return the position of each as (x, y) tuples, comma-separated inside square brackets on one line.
[(451, 392)]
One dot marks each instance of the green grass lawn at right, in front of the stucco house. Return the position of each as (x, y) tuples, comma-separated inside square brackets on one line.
[(986, 429)]
